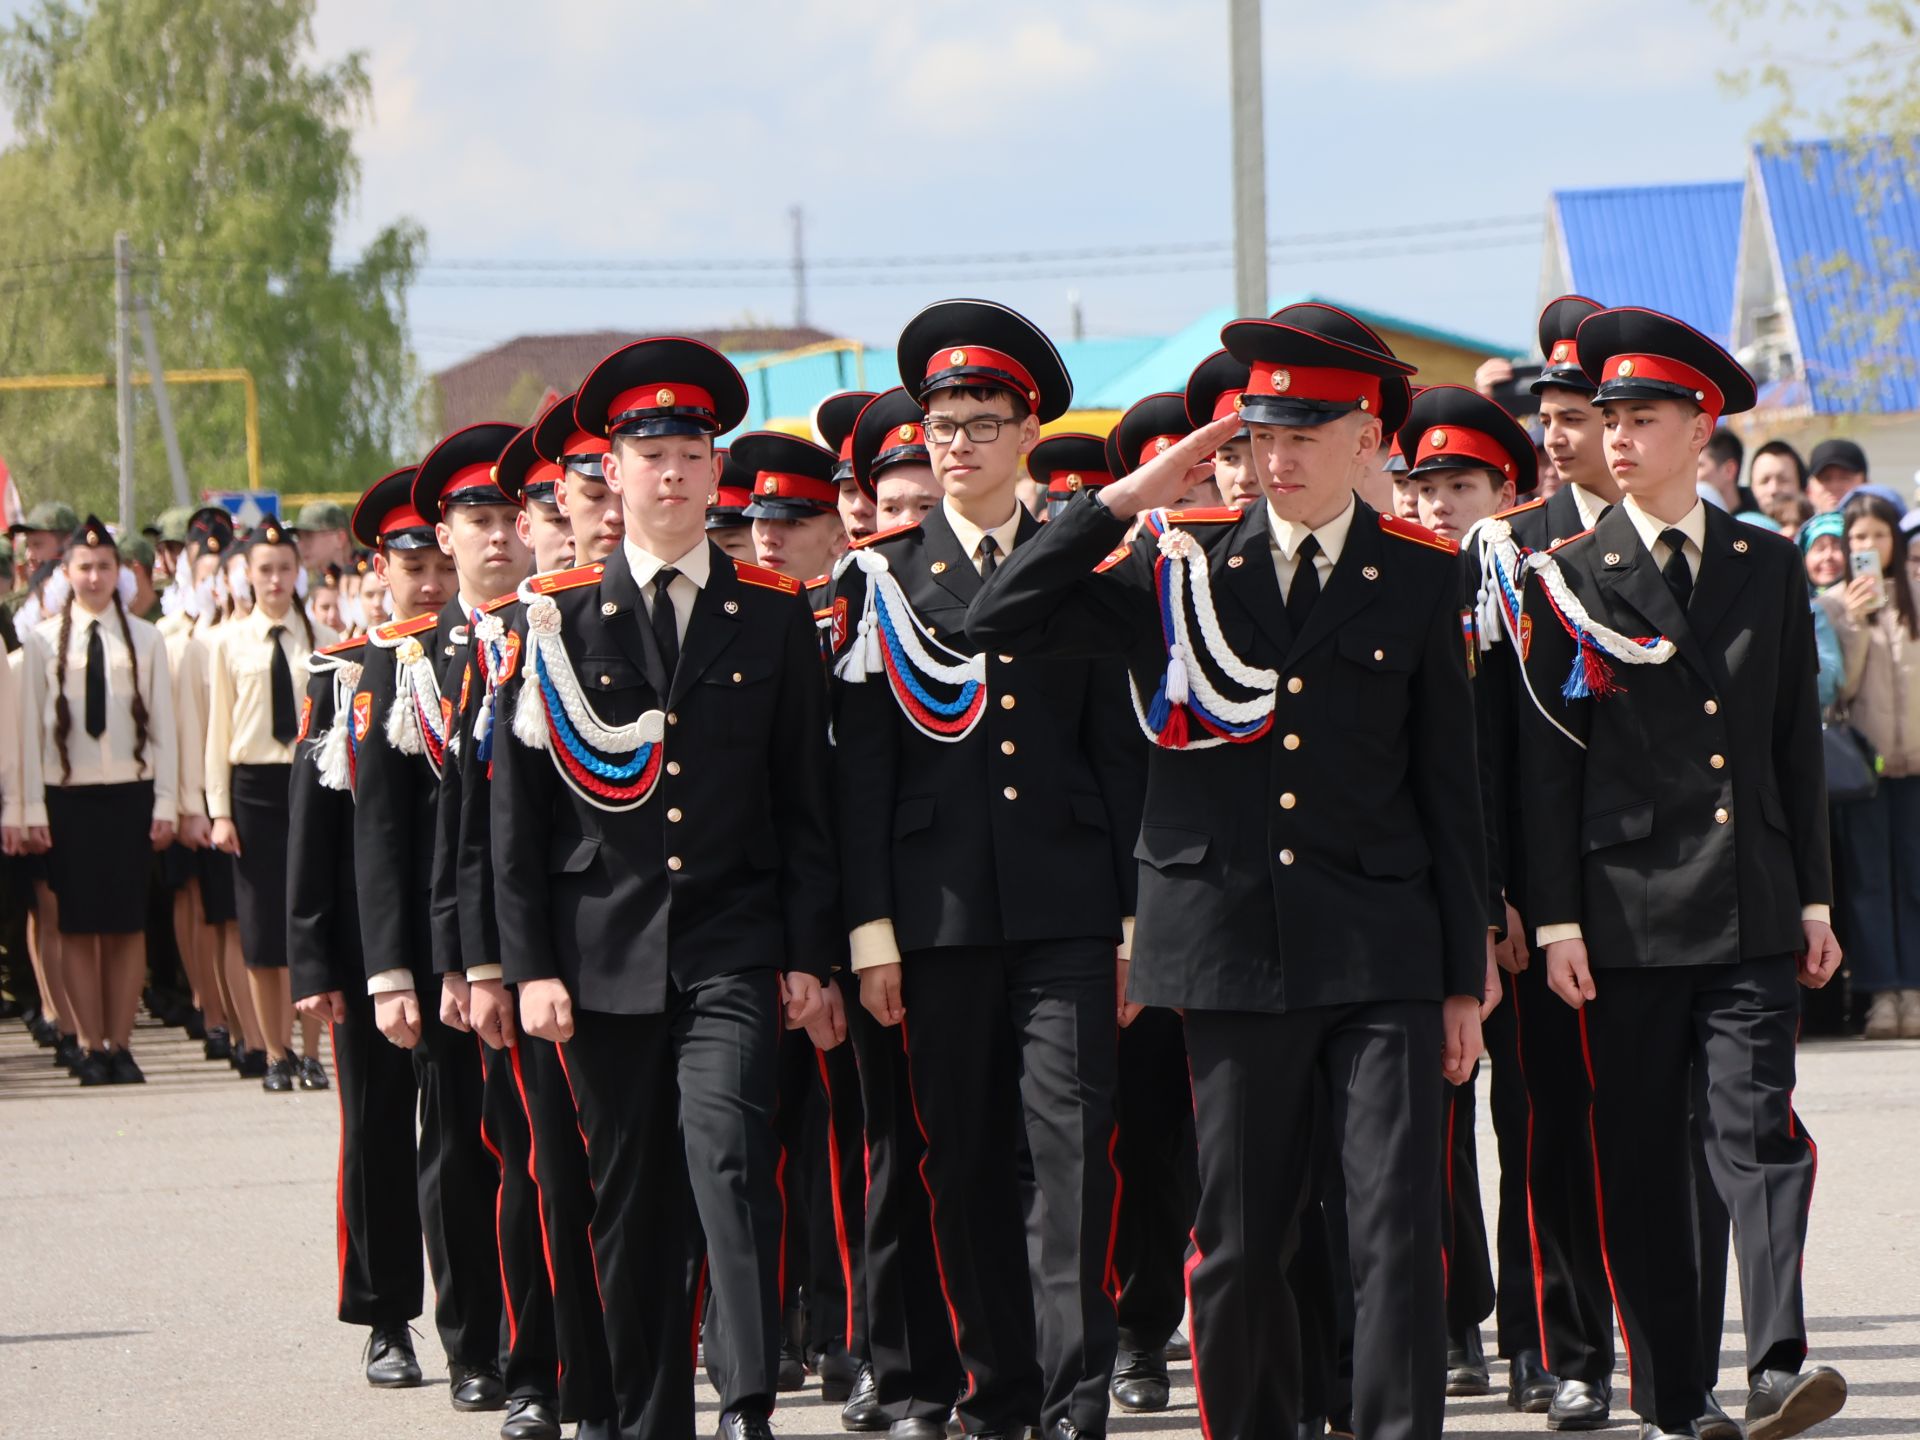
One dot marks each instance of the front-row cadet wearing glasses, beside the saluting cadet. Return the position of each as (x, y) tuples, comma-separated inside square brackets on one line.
[(959, 765)]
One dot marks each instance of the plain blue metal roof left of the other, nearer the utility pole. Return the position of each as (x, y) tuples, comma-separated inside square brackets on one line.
[(1666, 247)]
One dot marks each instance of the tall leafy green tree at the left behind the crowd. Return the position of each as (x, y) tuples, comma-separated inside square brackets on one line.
[(210, 133)]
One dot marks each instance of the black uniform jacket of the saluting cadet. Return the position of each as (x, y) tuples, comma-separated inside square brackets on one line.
[(1339, 857)]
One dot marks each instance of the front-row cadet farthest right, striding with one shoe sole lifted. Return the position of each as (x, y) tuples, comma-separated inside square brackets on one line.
[(1679, 871)]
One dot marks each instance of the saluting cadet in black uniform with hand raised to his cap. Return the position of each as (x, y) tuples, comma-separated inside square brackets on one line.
[(1314, 863)]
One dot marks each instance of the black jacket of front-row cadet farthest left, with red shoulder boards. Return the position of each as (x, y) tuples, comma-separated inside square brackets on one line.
[(729, 865)]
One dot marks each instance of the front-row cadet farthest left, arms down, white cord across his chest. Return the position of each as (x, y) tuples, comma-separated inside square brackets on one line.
[(665, 882)]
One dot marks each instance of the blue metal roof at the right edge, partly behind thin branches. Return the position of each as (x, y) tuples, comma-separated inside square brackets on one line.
[(1846, 228)]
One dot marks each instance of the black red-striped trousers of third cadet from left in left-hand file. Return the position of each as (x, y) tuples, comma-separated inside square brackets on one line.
[(531, 1364)]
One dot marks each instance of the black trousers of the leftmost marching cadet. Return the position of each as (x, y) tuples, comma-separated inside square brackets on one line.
[(379, 1209)]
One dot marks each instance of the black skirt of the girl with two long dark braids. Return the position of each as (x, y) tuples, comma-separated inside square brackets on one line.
[(103, 855)]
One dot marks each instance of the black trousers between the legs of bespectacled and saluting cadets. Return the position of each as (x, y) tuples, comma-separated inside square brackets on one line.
[(1159, 1180)]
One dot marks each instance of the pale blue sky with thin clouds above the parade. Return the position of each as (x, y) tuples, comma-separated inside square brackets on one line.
[(583, 133)]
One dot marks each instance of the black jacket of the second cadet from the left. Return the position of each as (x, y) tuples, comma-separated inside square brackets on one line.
[(395, 811)]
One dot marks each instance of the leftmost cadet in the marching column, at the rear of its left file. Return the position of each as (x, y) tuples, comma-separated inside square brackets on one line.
[(381, 1276)]
